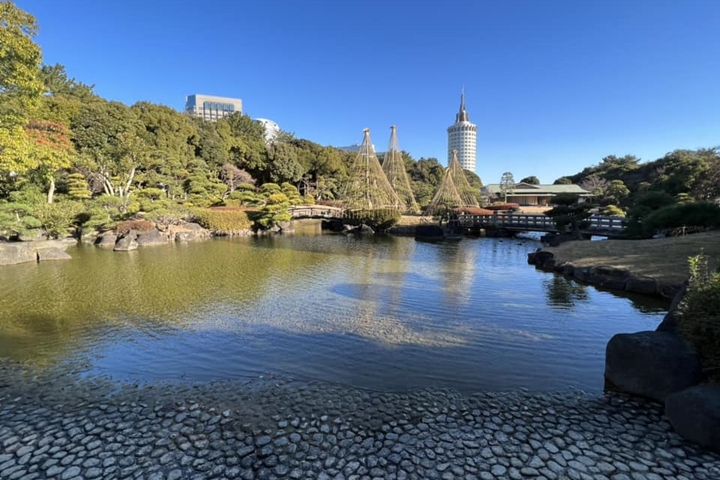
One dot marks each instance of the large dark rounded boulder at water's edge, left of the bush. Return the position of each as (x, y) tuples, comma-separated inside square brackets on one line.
[(651, 364)]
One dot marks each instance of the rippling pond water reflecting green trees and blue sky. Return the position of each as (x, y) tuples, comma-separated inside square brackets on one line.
[(383, 313)]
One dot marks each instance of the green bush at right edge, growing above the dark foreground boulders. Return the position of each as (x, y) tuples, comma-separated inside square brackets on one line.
[(699, 315)]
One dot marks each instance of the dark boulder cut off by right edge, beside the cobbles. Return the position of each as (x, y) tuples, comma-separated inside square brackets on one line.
[(695, 414)]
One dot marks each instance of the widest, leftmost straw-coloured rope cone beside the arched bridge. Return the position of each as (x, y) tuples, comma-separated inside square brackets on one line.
[(368, 187)]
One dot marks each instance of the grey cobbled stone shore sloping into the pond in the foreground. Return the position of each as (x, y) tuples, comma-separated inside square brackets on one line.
[(66, 428)]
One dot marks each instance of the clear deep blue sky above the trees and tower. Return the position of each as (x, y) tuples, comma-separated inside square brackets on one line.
[(553, 85)]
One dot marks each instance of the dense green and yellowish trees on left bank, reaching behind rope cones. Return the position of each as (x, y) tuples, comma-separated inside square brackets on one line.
[(70, 159)]
